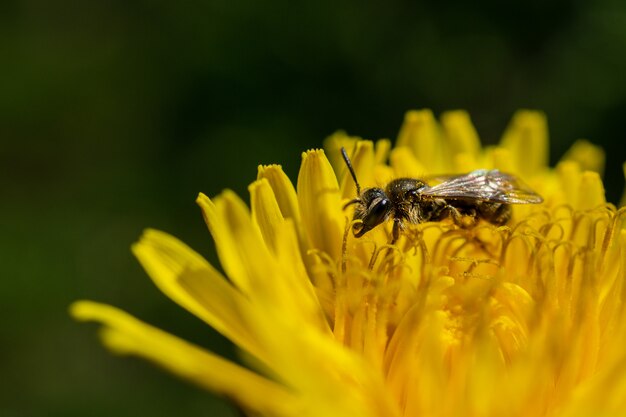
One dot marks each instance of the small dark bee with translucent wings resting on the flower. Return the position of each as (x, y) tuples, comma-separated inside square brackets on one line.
[(467, 198)]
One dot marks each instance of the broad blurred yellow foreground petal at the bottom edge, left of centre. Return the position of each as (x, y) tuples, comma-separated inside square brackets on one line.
[(333, 380)]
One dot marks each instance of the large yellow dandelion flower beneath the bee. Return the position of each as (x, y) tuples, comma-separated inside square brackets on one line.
[(527, 319)]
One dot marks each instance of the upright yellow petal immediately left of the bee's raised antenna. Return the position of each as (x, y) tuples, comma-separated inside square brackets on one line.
[(320, 204)]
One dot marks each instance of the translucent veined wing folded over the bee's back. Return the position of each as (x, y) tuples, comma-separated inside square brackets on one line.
[(485, 185)]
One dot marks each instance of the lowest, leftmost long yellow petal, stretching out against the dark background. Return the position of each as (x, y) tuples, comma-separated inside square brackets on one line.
[(125, 334)]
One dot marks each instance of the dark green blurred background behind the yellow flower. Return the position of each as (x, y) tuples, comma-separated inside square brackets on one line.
[(114, 115)]
